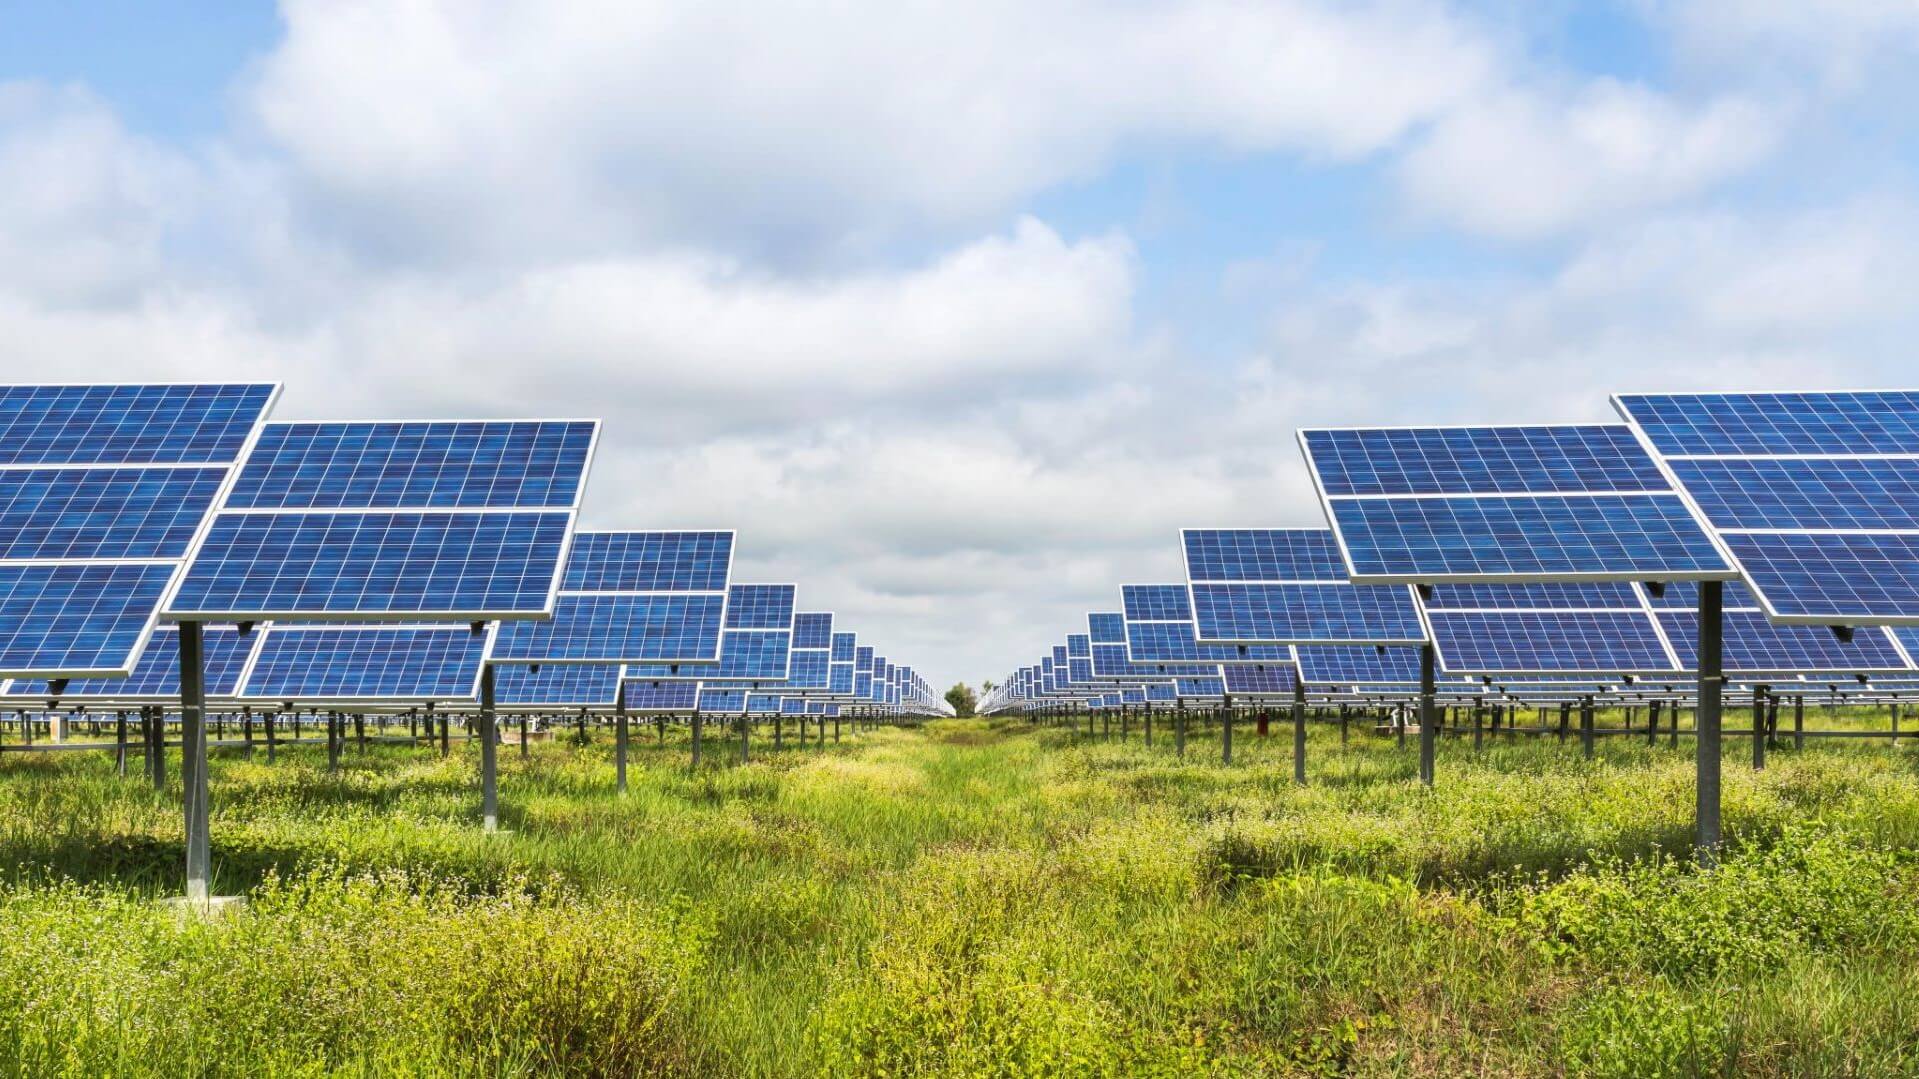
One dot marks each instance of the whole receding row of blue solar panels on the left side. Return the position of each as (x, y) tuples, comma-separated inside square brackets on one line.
[(371, 563)]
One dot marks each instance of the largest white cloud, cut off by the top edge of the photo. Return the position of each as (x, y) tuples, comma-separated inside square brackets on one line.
[(437, 128)]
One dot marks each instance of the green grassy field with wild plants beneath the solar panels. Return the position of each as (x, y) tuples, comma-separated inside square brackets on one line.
[(978, 898)]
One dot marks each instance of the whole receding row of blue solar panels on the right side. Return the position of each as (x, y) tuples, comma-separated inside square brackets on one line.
[(1548, 560)]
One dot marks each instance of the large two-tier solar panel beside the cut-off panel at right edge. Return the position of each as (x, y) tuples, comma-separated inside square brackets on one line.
[(1505, 504)]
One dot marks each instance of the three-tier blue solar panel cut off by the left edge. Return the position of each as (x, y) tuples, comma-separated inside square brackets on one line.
[(103, 494)]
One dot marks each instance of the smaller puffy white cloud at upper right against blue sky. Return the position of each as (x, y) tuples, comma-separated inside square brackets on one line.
[(1527, 164)]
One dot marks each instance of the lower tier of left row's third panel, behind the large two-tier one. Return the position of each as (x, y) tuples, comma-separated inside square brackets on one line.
[(613, 629)]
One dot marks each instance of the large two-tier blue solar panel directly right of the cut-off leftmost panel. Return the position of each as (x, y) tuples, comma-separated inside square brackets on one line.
[(391, 521)]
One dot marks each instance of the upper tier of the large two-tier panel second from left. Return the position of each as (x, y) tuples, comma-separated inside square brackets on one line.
[(417, 466)]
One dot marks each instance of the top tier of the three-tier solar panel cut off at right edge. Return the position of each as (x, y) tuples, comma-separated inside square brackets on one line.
[(1776, 423)]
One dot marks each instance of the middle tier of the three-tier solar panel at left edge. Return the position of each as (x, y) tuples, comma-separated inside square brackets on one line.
[(105, 514)]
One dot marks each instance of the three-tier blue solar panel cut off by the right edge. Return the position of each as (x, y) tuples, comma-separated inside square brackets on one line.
[(1814, 494)]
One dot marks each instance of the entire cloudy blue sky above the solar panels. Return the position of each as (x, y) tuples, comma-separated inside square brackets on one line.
[(960, 312)]
